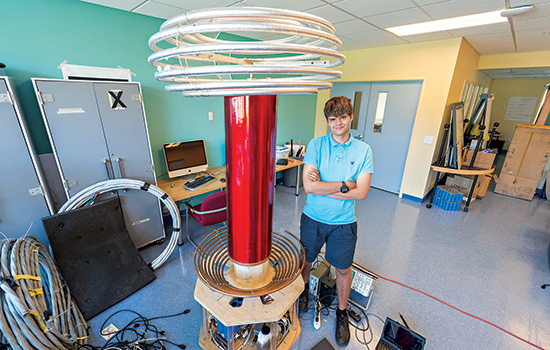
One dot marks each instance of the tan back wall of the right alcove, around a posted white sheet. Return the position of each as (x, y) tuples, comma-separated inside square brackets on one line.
[(506, 88)]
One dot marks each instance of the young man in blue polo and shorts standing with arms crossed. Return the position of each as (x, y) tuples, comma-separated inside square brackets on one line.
[(337, 171)]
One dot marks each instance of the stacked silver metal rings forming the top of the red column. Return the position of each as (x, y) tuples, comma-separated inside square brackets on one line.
[(268, 51)]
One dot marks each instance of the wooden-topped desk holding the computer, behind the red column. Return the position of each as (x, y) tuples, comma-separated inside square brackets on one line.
[(174, 187)]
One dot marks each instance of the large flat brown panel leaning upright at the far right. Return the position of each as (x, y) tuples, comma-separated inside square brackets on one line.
[(525, 161)]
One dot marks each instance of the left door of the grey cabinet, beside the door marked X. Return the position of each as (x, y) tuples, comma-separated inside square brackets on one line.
[(76, 135)]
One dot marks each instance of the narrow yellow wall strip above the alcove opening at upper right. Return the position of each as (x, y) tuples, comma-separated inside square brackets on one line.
[(515, 60)]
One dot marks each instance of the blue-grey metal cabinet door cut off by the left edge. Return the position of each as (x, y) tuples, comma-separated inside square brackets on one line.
[(21, 200)]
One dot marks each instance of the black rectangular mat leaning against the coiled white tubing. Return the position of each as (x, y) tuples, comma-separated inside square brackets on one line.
[(96, 256)]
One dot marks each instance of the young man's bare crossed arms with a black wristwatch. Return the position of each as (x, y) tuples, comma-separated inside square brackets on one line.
[(314, 185)]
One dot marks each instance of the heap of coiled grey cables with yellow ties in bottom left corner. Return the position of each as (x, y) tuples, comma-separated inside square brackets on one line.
[(36, 308)]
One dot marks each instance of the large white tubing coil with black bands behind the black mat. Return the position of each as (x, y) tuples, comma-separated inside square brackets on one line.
[(88, 194)]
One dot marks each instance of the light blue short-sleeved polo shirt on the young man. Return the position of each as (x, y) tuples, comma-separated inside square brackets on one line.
[(336, 162)]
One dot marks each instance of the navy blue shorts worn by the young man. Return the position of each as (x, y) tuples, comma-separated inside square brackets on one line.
[(340, 240)]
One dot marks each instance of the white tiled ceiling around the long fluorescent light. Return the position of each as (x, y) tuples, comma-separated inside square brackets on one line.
[(360, 23)]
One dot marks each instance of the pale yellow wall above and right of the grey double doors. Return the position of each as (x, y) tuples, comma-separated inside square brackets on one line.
[(432, 62)]
